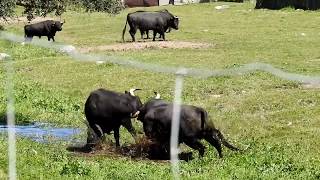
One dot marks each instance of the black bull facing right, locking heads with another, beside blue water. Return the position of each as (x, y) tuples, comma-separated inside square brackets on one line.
[(106, 111)]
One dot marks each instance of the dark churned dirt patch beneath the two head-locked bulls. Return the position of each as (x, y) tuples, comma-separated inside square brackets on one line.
[(144, 149)]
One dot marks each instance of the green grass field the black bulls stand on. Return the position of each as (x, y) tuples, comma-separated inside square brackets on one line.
[(275, 120)]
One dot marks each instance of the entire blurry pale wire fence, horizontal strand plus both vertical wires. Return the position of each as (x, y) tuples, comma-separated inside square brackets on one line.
[(180, 73)]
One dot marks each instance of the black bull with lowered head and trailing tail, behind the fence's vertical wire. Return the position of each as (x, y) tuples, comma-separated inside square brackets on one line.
[(156, 116)]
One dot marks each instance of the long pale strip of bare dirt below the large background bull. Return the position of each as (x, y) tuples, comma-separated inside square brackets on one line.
[(146, 45)]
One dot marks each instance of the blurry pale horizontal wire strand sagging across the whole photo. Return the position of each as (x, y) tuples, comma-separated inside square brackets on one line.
[(201, 73)]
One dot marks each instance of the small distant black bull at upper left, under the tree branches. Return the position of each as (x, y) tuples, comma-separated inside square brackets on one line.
[(45, 28)]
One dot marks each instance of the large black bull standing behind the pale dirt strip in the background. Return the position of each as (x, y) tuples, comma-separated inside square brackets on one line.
[(158, 21)]
